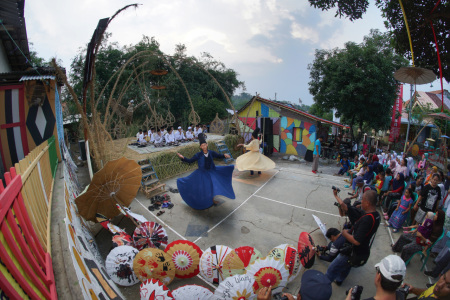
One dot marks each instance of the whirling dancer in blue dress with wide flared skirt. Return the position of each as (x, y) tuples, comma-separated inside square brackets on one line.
[(199, 189)]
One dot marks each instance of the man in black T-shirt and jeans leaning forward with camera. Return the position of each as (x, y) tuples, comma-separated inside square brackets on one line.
[(359, 238)]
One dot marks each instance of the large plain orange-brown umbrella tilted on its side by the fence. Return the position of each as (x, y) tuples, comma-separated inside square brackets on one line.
[(116, 183)]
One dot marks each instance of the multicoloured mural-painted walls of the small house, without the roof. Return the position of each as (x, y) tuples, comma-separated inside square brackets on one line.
[(290, 136)]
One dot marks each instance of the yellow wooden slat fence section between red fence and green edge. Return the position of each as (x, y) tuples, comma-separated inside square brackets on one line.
[(38, 170)]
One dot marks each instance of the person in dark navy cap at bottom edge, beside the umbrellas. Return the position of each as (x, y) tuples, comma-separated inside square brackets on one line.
[(314, 286)]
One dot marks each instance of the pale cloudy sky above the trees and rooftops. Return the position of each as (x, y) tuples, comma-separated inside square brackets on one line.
[(268, 43)]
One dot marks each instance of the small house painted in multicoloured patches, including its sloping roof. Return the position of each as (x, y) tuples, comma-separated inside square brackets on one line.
[(286, 129)]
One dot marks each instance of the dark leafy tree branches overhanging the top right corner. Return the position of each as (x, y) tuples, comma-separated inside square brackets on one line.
[(419, 15)]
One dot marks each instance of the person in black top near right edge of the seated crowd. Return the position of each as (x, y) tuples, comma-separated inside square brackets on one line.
[(428, 199)]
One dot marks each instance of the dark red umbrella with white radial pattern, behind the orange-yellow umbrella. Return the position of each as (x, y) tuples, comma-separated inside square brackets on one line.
[(149, 234)]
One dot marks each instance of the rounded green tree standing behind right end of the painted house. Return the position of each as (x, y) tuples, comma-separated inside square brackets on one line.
[(357, 81)]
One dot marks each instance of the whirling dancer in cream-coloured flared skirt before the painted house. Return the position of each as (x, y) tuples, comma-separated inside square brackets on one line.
[(254, 160)]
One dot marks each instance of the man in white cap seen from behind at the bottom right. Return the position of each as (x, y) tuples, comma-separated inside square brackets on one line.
[(391, 271)]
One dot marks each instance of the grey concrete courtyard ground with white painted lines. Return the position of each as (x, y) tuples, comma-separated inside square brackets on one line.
[(270, 209)]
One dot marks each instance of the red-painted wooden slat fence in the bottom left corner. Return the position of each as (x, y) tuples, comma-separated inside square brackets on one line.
[(26, 268)]
